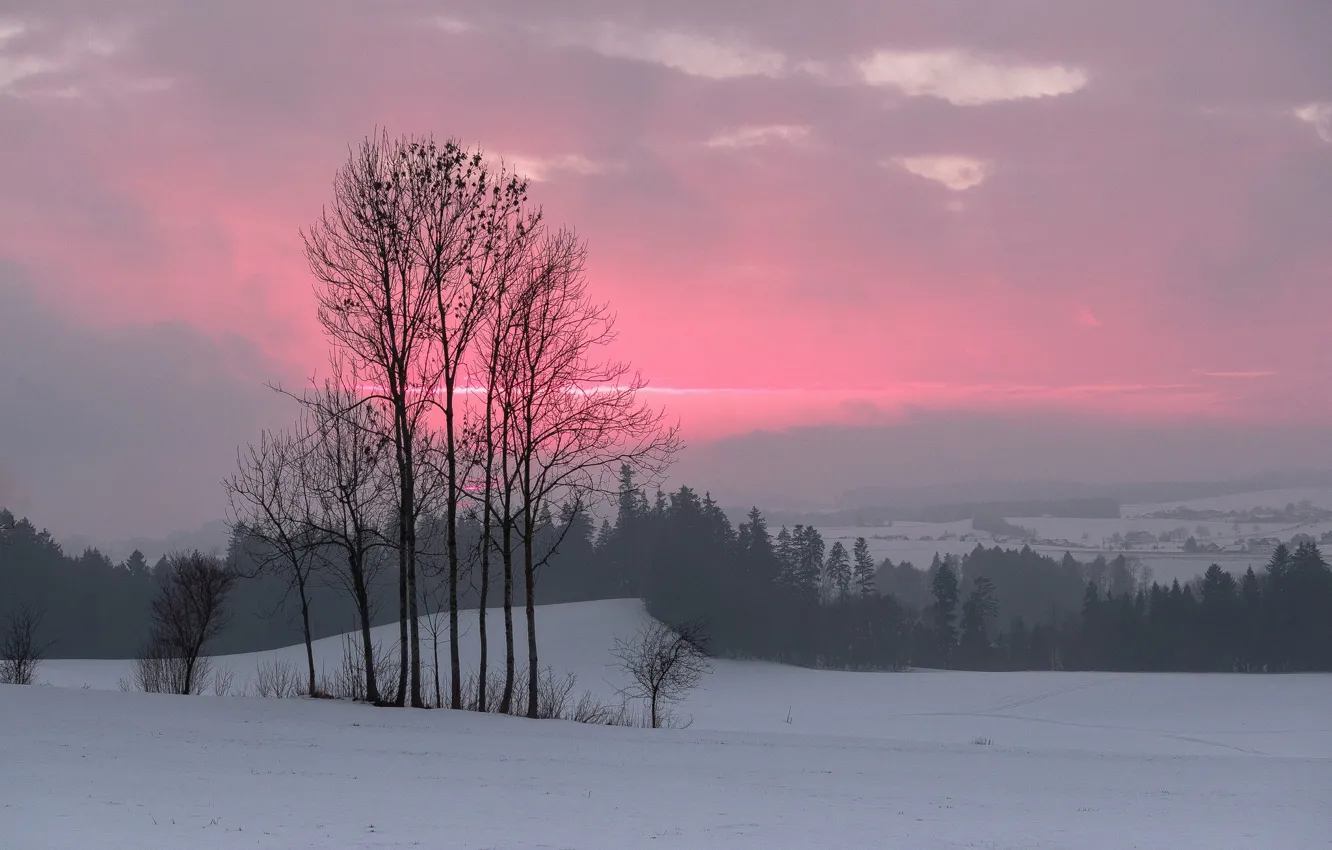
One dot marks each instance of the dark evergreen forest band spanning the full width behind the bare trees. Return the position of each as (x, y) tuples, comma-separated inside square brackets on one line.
[(779, 596)]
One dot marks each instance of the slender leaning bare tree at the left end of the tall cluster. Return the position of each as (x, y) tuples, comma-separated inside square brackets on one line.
[(268, 502)]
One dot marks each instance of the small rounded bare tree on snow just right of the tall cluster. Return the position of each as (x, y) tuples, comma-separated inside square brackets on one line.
[(664, 664)]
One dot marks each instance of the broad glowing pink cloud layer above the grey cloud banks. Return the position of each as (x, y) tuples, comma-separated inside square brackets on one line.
[(799, 268)]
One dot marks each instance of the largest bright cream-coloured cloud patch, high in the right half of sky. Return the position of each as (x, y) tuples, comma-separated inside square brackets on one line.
[(966, 81)]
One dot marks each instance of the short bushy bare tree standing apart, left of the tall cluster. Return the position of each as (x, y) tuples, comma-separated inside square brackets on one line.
[(187, 614)]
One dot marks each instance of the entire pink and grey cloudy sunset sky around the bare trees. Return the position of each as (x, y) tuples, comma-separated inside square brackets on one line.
[(848, 243)]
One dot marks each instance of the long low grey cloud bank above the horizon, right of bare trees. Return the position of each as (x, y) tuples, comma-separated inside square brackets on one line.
[(809, 468)]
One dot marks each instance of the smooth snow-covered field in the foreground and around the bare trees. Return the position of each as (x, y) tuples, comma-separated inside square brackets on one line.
[(777, 757)]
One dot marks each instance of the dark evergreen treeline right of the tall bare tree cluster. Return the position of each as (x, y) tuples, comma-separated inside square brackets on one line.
[(791, 598)]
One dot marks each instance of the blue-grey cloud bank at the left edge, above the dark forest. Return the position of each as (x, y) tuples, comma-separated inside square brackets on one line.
[(125, 432)]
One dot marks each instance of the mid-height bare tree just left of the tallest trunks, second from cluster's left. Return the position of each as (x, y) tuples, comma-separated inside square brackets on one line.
[(350, 492)]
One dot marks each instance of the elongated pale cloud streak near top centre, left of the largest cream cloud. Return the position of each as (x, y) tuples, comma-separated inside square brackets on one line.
[(688, 53)]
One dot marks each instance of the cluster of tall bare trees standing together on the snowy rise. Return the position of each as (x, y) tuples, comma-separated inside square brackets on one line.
[(470, 380)]
